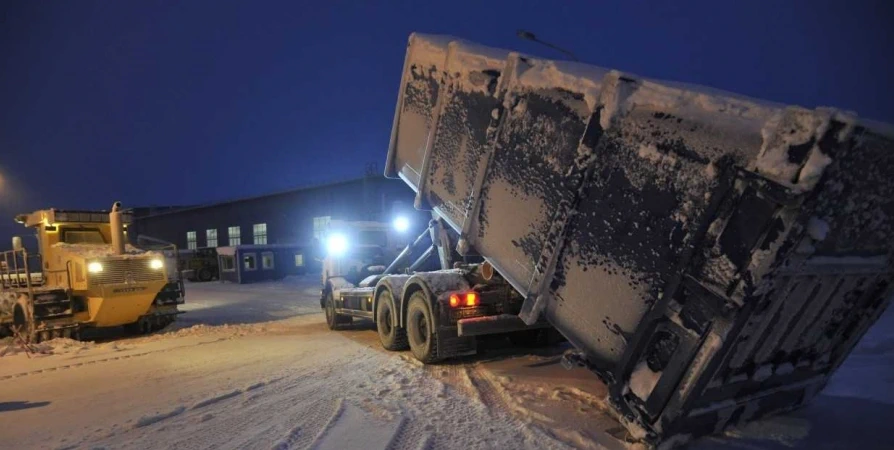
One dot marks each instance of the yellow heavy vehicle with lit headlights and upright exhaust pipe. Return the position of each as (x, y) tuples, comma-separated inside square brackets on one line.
[(83, 275)]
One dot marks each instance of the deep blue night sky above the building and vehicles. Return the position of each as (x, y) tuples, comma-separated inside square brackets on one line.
[(157, 103)]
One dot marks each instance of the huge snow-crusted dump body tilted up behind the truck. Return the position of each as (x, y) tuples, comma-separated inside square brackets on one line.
[(714, 258)]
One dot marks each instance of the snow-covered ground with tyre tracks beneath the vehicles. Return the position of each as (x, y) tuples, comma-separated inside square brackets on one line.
[(254, 366)]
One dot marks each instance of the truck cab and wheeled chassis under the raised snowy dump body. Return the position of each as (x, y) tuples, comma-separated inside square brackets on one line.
[(364, 265)]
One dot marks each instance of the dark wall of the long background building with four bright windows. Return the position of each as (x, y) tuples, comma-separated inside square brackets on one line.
[(289, 216)]
